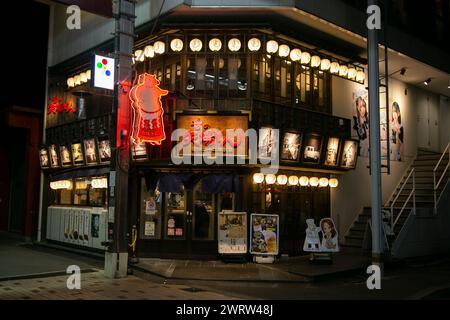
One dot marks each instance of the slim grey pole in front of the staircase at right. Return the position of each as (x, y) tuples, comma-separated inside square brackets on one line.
[(375, 152)]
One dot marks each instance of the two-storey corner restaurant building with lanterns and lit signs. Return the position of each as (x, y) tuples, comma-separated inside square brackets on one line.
[(275, 70)]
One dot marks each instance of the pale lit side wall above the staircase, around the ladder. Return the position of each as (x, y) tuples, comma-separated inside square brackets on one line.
[(354, 191)]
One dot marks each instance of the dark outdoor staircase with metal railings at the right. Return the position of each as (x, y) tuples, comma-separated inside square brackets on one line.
[(420, 187)]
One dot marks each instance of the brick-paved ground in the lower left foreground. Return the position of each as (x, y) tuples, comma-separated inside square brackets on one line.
[(95, 286)]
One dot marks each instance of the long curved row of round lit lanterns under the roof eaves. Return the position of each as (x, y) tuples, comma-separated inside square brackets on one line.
[(254, 45)]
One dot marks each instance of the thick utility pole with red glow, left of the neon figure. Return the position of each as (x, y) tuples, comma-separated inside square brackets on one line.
[(116, 257)]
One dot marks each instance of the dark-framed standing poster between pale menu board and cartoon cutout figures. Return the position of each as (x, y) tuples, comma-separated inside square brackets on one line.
[(264, 234)]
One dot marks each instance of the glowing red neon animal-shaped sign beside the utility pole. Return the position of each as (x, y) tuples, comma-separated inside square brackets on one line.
[(145, 99)]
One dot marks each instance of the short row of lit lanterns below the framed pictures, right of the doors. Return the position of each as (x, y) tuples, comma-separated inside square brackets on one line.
[(294, 180)]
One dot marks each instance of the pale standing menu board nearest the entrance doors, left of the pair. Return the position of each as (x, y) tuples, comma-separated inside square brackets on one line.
[(232, 232)]
